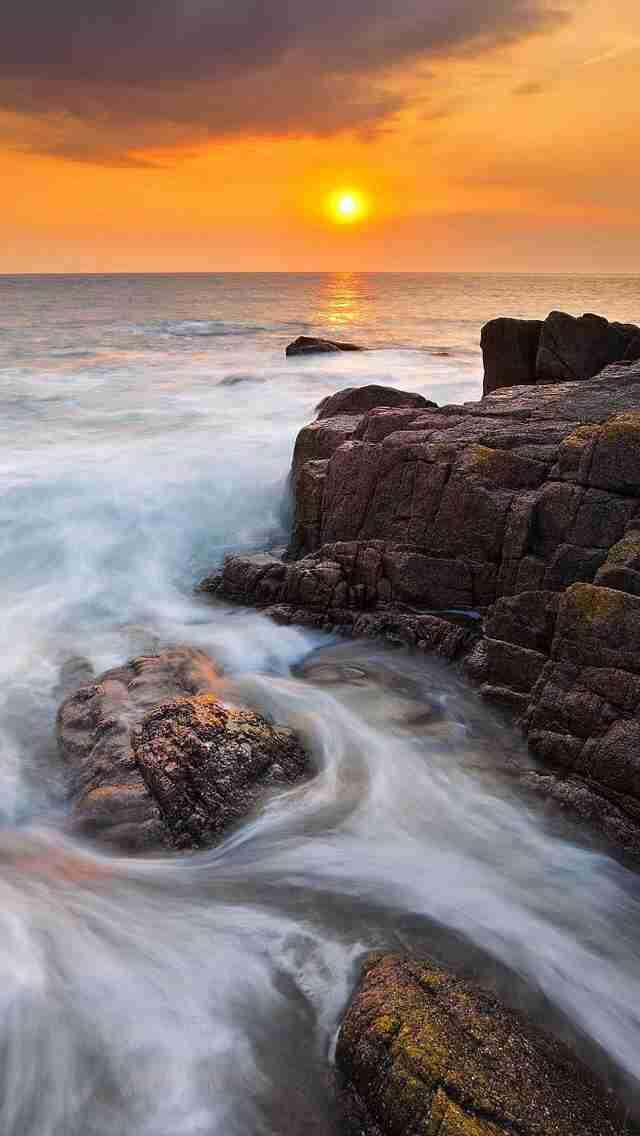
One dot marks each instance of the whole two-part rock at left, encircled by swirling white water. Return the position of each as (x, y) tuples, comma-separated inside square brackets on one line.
[(156, 761)]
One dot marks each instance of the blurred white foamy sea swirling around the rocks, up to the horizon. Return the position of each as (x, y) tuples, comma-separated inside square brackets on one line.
[(147, 427)]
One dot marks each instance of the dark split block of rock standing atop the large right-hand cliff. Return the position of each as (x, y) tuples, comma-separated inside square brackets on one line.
[(560, 349)]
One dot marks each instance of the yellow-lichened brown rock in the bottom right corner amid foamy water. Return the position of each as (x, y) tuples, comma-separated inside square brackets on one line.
[(425, 1051)]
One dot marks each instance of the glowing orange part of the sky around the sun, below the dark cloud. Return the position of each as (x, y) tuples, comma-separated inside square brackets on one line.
[(521, 156)]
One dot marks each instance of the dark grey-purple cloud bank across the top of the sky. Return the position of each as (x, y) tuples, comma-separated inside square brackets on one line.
[(107, 77)]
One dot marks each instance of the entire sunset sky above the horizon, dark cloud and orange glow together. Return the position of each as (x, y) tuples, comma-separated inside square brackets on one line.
[(213, 136)]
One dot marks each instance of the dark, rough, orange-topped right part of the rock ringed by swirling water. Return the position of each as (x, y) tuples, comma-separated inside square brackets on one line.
[(206, 765)]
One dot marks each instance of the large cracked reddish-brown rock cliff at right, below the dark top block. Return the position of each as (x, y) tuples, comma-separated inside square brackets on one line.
[(503, 536)]
